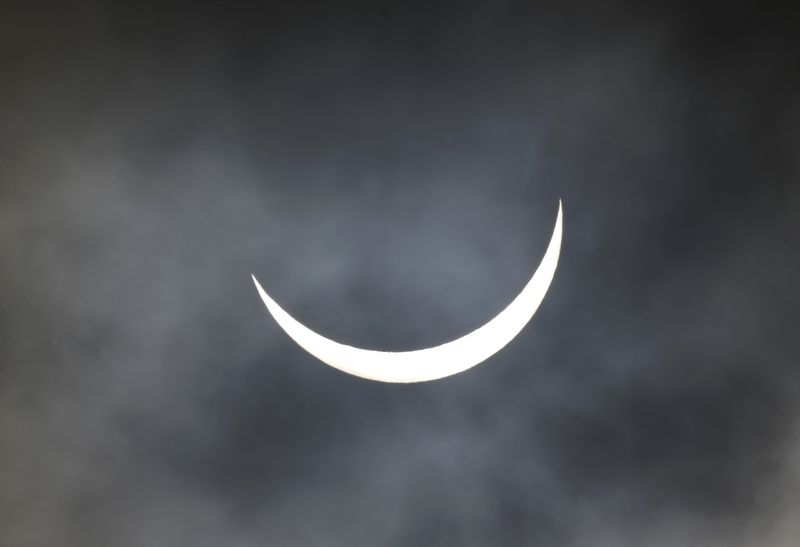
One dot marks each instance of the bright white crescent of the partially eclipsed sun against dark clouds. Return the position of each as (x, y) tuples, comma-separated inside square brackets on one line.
[(430, 363)]
